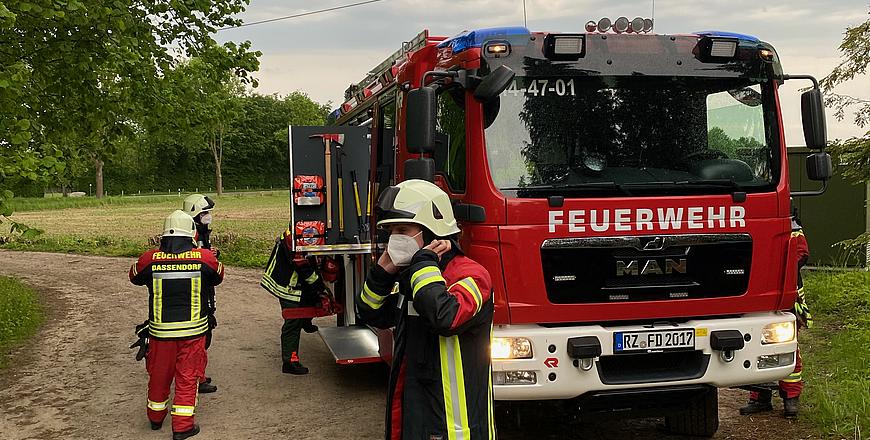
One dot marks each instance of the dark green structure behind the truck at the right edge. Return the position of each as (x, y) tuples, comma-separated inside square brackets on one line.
[(840, 214)]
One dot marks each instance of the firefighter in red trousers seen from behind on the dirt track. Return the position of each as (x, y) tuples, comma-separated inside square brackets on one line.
[(178, 276)]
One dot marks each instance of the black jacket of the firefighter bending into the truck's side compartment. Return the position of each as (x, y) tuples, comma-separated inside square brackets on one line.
[(288, 277)]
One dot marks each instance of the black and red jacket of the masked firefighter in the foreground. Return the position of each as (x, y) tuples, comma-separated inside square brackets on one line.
[(441, 382)]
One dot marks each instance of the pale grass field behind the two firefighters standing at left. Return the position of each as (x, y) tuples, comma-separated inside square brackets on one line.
[(245, 225)]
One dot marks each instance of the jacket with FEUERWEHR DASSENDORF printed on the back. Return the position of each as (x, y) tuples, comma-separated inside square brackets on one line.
[(180, 280)]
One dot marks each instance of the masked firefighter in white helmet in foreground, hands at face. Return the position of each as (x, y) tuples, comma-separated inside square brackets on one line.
[(440, 303)]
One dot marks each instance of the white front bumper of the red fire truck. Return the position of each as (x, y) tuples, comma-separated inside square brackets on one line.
[(560, 377)]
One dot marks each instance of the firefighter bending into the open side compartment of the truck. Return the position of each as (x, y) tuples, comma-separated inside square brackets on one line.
[(294, 281)]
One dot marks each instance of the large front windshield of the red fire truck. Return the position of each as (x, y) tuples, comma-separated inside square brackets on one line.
[(605, 135)]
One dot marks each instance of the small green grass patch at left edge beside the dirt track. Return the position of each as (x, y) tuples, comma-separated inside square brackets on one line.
[(20, 315)]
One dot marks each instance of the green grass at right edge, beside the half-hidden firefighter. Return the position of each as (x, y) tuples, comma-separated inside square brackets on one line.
[(836, 354)]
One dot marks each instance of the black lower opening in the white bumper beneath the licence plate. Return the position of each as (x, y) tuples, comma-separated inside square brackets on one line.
[(652, 367)]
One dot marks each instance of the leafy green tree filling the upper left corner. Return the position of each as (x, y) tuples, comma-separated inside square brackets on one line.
[(76, 69)]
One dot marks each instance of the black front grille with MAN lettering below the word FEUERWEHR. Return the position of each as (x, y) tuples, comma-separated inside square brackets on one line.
[(651, 268)]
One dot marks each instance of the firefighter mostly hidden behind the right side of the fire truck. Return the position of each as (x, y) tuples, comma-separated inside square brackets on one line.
[(789, 388)]
